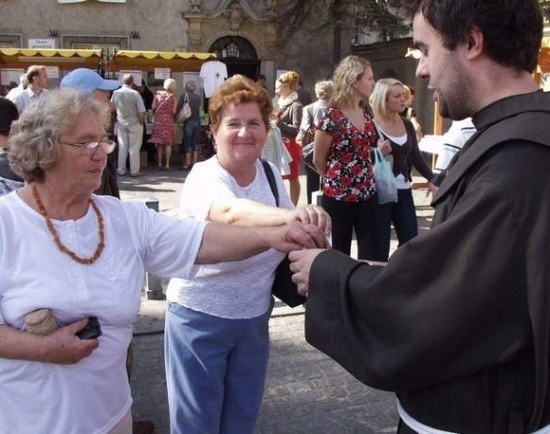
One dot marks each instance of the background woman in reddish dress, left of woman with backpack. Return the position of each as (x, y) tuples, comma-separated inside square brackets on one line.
[(164, 133)]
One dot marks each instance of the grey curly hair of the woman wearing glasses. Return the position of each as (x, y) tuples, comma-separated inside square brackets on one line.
[(34, 138)]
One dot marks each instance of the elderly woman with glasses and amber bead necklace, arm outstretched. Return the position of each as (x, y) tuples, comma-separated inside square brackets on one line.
[(82, 259)]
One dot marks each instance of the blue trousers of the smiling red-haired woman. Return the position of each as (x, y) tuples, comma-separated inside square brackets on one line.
[(215, 371)]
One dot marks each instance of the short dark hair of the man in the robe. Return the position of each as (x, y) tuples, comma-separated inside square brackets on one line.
[(512, 28)]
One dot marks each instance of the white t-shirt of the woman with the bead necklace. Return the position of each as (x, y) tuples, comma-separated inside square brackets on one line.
[(92, 395)]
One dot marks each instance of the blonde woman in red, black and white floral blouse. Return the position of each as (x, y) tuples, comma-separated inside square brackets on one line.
[(342, 155)]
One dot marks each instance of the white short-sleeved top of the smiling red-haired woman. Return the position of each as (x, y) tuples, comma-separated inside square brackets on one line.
[(237, 290)]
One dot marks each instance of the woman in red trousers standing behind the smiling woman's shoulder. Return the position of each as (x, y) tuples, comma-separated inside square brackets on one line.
[(289, 110)]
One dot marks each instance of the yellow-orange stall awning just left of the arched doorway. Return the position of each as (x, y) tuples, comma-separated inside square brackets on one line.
[(149, 60)]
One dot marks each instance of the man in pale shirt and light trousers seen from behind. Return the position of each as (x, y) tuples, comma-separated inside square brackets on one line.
[(130, 112)]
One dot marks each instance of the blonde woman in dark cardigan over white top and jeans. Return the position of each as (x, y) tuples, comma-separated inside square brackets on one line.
[(388, 102)]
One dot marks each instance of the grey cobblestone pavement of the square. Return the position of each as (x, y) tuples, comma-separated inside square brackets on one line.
[(306, 391)]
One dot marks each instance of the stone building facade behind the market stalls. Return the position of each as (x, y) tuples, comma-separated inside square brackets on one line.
[(243, 33)]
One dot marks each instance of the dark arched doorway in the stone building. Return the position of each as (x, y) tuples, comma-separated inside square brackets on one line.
[(238, 54)]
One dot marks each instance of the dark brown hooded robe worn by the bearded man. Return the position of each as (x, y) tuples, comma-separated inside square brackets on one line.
[(458, 322)]
